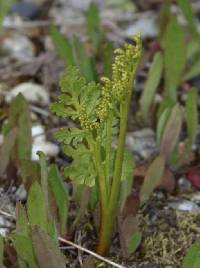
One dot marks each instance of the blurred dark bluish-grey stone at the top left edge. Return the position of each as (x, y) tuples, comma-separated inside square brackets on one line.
[(27, 10)]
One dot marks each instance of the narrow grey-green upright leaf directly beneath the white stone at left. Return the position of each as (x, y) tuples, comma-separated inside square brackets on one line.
[(44, 180)]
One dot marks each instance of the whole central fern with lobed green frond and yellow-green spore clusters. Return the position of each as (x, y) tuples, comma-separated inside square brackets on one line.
[(101, 111)]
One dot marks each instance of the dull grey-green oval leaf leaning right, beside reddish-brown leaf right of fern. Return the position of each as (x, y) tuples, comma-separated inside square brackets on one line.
[(152, 178)]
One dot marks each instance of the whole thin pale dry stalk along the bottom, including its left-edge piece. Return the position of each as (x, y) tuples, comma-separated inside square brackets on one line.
[(73, 245)]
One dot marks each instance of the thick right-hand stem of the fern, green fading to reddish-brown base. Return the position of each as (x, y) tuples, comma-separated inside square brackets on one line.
[(108, 216)]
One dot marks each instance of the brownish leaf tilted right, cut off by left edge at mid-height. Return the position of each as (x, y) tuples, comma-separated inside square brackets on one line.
[(6, 149)]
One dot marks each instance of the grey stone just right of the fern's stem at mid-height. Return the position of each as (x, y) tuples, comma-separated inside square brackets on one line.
[(142, 143)]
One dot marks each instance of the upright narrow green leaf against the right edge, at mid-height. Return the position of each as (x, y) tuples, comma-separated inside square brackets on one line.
[(192, 115)]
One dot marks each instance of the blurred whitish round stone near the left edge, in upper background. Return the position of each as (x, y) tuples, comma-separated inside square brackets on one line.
[(19, 47)]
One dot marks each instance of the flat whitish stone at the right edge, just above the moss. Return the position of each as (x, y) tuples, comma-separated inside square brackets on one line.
[(184, 205)]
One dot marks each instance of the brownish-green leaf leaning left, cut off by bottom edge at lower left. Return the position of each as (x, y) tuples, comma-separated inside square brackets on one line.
[(46, 250)]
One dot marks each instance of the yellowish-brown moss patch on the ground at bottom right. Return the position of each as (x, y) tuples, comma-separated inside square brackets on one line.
[(167, 244)]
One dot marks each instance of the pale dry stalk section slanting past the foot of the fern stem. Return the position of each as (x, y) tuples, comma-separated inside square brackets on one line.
[(90, 252)]
